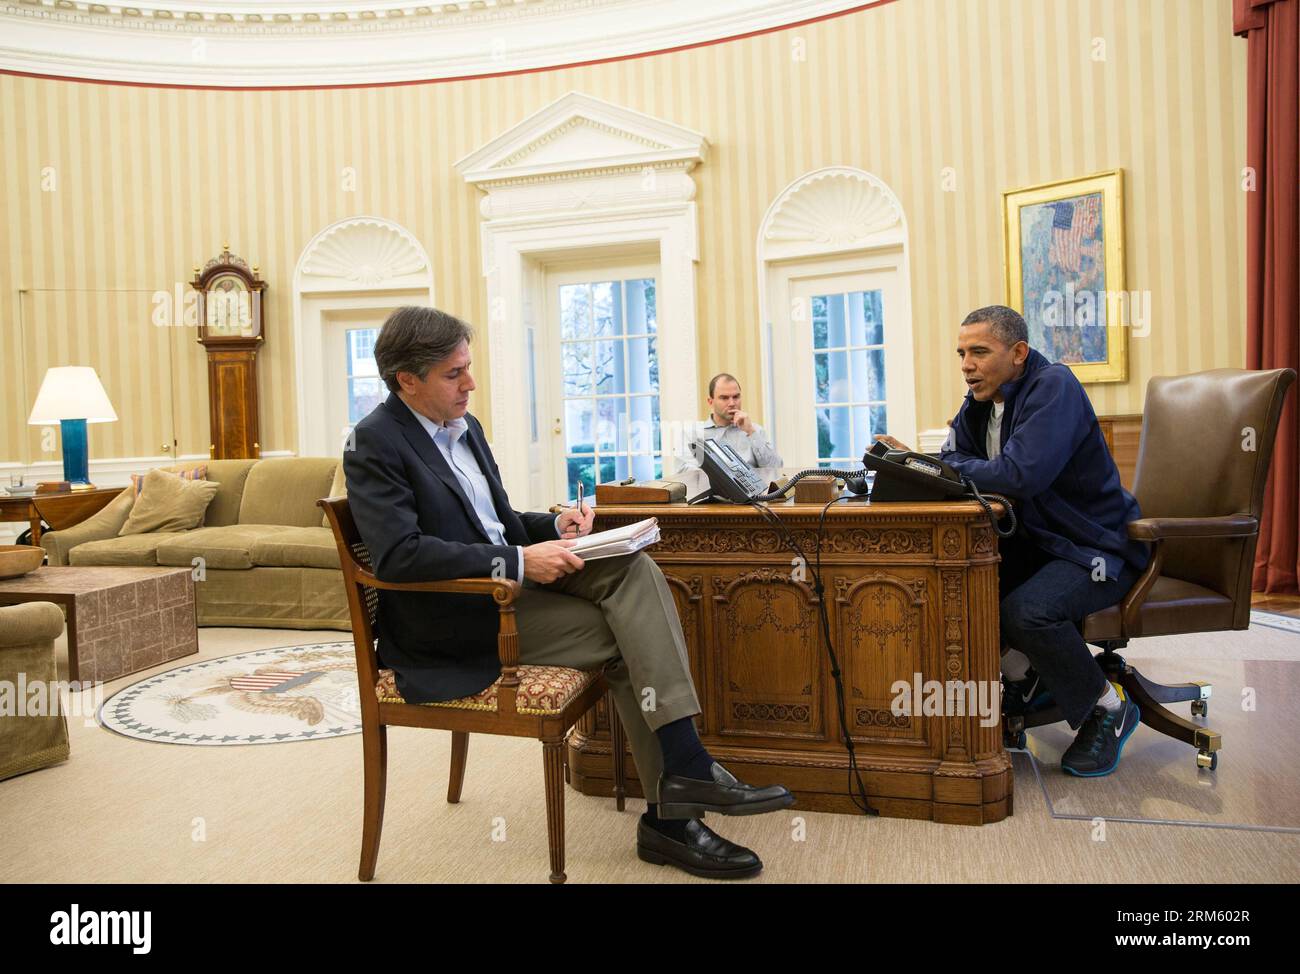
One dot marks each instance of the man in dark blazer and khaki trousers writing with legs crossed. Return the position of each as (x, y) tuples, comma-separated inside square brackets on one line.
[(430, 503)]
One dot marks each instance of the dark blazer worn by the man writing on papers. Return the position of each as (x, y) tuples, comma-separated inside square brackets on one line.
[(419, 526)]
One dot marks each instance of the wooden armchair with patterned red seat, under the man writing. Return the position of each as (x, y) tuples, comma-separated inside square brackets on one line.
[(526, 702)]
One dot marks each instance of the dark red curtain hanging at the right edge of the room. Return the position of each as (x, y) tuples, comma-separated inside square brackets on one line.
[(1272, 29)]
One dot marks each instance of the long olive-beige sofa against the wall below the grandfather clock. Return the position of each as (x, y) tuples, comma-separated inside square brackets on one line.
[(267, 557)]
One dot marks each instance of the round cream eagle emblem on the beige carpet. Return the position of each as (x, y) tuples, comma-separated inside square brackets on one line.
[(272, 696)]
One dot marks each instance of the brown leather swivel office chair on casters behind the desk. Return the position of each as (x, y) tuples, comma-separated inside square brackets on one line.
[(1203, 462)]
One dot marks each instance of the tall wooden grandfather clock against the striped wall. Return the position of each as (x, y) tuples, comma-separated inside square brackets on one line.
[(231, 328)]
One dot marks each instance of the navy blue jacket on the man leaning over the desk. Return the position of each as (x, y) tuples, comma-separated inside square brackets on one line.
[(1055, 465)]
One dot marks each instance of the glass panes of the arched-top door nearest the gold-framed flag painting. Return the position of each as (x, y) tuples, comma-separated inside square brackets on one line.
[(850, 375)]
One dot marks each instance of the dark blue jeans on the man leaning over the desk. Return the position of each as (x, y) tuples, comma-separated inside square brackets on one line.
[(1045, 601)]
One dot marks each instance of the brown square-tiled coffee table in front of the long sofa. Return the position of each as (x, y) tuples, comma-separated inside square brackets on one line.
[(120, 620)]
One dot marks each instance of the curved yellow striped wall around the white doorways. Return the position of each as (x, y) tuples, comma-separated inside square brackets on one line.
[(1004, 92)]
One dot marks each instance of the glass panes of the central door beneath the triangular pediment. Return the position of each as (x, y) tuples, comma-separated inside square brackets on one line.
[(610, 367)]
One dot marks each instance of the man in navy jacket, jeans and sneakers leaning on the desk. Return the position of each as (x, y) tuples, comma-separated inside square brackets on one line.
[(1028, 431)]
